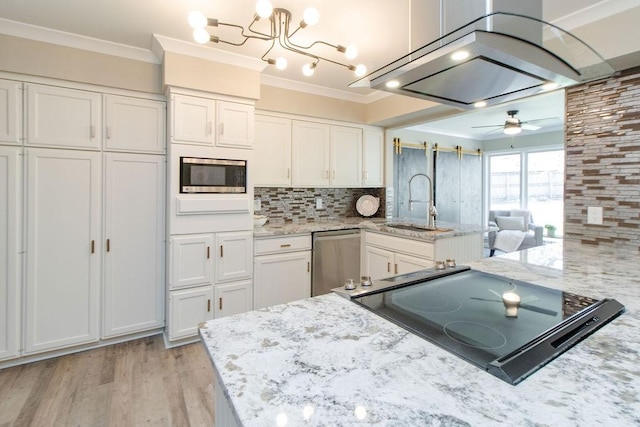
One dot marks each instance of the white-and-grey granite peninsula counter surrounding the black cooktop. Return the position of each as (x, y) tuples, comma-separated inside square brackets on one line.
[(327, 361)]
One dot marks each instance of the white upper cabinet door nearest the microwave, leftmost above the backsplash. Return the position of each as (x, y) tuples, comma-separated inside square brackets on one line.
[(272, 149)]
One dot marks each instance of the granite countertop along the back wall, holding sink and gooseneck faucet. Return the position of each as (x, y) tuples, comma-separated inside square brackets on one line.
[(374, 224)]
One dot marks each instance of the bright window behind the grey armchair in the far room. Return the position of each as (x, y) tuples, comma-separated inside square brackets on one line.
[(531, 180)]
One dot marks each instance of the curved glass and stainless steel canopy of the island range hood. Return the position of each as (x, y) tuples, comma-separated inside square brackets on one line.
[(496, 58)]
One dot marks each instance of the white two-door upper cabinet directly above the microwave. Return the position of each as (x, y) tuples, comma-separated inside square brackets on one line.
[(204, 121)]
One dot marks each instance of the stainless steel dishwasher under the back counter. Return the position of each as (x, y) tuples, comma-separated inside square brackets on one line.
[(336, 258)]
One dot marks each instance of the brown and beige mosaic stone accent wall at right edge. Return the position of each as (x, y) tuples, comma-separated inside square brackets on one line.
[(603, 160)]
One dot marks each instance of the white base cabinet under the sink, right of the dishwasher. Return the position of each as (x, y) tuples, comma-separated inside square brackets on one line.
[(386, 255)]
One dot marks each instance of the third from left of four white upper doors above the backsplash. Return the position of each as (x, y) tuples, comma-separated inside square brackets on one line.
[(346, 156)]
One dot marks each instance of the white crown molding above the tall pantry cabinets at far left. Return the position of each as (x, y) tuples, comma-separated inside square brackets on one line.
[(47, 35)]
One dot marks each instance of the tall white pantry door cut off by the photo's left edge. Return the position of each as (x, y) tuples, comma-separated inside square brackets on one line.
[(10, 247)]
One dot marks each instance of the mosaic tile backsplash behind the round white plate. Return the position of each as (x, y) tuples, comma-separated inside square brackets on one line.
[(285, 205)]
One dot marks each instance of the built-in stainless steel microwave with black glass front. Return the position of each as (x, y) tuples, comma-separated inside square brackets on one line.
[(199, 175)]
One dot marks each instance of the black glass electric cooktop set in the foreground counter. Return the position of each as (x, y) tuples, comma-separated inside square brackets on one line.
[(508, 327)]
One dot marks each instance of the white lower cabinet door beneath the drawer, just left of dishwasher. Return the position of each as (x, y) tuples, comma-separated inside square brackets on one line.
[(281, 278)]
